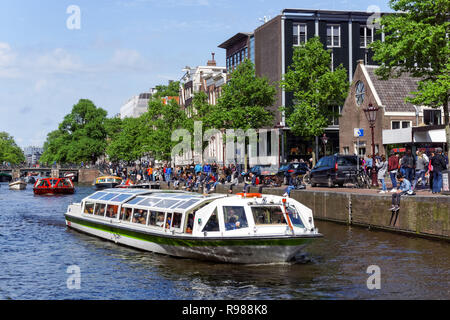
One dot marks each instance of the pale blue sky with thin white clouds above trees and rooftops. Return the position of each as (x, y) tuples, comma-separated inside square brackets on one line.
[(55, 52)]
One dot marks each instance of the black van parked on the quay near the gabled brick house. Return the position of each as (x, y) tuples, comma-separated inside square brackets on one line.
[(335, 169)]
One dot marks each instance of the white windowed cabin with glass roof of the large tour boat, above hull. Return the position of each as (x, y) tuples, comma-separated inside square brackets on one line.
[(193, 214)]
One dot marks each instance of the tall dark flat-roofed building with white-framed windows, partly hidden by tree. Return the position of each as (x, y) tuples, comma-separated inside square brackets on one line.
[(346, 34)]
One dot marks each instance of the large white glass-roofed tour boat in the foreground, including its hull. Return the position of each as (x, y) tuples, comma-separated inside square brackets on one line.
[(227, 228)]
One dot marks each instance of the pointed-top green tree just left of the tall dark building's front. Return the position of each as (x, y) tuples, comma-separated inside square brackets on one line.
[(244, 101)]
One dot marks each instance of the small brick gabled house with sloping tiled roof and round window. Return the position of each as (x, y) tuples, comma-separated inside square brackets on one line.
[(398, 123)]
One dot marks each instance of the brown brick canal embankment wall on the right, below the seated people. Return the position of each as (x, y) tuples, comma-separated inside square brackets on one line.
[(423, 215)]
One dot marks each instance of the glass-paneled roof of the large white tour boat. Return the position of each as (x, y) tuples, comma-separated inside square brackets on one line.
[(151, 199)]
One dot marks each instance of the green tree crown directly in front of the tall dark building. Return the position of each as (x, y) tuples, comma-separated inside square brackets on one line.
[(316, 89)]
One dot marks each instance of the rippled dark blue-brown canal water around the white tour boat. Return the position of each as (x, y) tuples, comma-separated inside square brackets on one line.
[(37, 251)]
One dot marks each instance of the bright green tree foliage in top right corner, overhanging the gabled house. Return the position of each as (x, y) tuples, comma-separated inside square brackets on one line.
[(417, 42)]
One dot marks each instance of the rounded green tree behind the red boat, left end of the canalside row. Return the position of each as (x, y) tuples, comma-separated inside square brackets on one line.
[(81, 136)]
